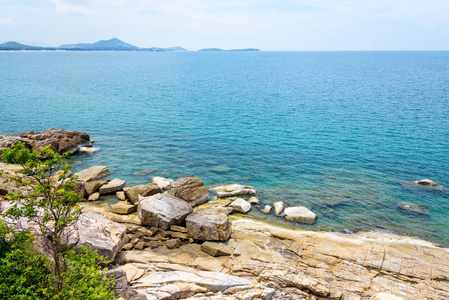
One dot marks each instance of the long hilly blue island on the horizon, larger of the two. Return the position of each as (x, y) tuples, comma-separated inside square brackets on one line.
[(103, 45)]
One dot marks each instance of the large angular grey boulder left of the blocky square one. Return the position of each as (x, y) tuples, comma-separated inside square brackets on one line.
[(162, 210)]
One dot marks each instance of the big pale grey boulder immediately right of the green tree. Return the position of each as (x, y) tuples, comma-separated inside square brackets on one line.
[(98, 232)]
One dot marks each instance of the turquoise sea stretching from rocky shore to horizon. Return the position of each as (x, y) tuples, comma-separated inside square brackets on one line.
[(334, 131)]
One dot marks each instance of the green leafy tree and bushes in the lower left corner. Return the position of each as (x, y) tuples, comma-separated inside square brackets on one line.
[(51, 202)]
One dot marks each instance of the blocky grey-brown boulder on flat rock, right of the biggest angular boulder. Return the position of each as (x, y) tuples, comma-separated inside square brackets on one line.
[(208, 225)]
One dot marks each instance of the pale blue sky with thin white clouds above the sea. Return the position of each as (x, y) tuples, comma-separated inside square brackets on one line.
[(281, 25)]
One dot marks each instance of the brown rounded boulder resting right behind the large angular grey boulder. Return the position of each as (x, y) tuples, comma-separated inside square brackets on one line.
[(190, 189)]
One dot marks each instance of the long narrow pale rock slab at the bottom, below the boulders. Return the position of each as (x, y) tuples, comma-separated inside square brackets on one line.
[(213, 281)]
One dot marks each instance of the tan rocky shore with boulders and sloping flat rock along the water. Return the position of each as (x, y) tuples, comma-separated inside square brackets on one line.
[(180, 240)]
